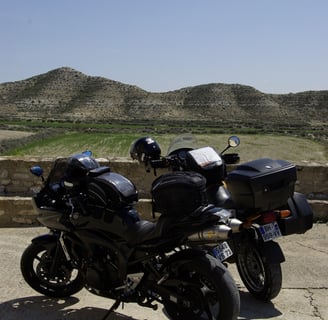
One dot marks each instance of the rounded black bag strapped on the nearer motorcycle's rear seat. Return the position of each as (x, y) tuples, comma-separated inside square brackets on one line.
[(179, 193)]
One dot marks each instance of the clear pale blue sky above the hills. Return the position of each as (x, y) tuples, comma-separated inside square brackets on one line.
[(276, 46)]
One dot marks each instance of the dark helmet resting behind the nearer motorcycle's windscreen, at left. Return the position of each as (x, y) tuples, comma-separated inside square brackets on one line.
[(79, 165)]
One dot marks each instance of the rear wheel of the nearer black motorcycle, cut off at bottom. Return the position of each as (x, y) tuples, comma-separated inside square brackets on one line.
[(208, 288)]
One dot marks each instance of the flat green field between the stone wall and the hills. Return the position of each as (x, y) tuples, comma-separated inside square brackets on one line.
[(112, 145)]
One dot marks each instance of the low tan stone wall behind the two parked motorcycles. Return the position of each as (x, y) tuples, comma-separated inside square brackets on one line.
[(17, 185)]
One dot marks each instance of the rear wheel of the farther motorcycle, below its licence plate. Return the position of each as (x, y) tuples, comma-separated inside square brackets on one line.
[(261, 278)]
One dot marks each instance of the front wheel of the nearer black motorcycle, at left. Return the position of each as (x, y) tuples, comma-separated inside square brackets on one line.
[(36, 263)]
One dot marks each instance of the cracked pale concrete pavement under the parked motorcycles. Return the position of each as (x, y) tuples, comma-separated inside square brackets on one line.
[(304, 295)]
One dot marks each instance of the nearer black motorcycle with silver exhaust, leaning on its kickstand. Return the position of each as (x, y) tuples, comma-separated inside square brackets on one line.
[(97, 241)]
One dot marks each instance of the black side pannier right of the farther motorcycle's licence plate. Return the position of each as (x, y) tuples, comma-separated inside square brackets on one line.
[(301, 218)]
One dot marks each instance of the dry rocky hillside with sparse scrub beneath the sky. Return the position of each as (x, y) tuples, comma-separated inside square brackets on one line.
[(66, 94)]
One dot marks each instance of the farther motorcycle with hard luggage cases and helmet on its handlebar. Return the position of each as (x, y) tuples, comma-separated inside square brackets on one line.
[(259, 193)]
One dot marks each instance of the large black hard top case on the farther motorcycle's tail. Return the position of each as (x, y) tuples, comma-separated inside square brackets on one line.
[(262, 184)]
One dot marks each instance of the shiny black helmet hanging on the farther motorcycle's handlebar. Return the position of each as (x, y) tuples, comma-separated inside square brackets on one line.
[(145, 149)]
